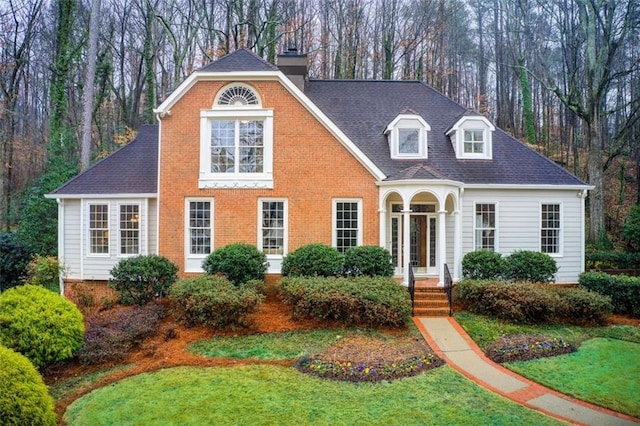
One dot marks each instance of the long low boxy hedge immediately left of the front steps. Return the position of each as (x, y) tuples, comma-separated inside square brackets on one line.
[(376, 301)]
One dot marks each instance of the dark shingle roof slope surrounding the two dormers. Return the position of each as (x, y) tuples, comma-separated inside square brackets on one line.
[(363, 109)]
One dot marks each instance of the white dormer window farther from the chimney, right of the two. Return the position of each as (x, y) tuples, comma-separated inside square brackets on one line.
[(471, 137)]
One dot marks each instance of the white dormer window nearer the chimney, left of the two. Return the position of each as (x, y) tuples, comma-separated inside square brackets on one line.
[(407, 136)]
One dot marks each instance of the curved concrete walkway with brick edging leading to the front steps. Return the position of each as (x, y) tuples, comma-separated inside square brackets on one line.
[(451, 343)]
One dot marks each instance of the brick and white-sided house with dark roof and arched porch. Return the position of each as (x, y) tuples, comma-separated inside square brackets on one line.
[(245, 151)]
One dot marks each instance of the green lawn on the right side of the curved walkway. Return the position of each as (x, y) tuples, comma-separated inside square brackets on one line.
[(605, 370)]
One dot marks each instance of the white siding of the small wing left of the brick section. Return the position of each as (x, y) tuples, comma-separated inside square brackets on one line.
[(78, 261)]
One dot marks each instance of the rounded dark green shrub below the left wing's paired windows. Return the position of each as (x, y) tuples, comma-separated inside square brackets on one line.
[(138, 280)]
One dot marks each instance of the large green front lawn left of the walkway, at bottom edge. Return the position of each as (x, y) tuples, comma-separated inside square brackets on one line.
[(275, 395)]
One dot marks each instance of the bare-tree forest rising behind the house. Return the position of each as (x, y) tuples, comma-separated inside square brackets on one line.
[(78, 77)]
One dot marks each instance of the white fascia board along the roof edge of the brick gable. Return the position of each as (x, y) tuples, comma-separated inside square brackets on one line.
[(165, 107)]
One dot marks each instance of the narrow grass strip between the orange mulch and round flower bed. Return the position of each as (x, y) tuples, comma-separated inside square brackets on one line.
[(275, 346)]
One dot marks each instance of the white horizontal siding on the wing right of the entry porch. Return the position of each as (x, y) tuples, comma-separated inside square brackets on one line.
[(518, 224)]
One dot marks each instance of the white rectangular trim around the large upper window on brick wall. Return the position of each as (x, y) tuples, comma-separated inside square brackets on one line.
[(236, 180)]
